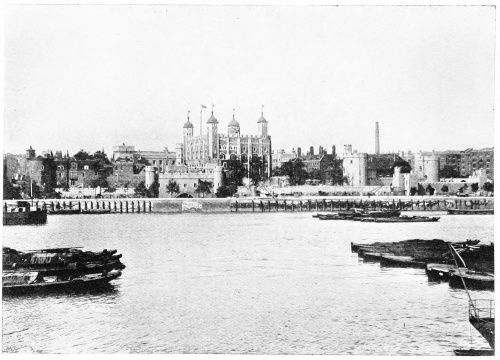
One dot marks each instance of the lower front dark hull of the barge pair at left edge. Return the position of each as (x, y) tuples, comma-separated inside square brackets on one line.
[(70, 285)]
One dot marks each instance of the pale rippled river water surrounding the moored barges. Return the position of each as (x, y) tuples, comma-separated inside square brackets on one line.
[(272, 283)]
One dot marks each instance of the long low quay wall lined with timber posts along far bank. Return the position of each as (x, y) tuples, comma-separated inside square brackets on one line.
[(292, 204)]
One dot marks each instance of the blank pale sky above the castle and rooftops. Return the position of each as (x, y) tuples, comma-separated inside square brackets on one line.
[(93, 77)]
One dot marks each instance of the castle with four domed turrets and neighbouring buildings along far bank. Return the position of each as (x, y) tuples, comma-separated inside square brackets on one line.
[(205, 157)]
